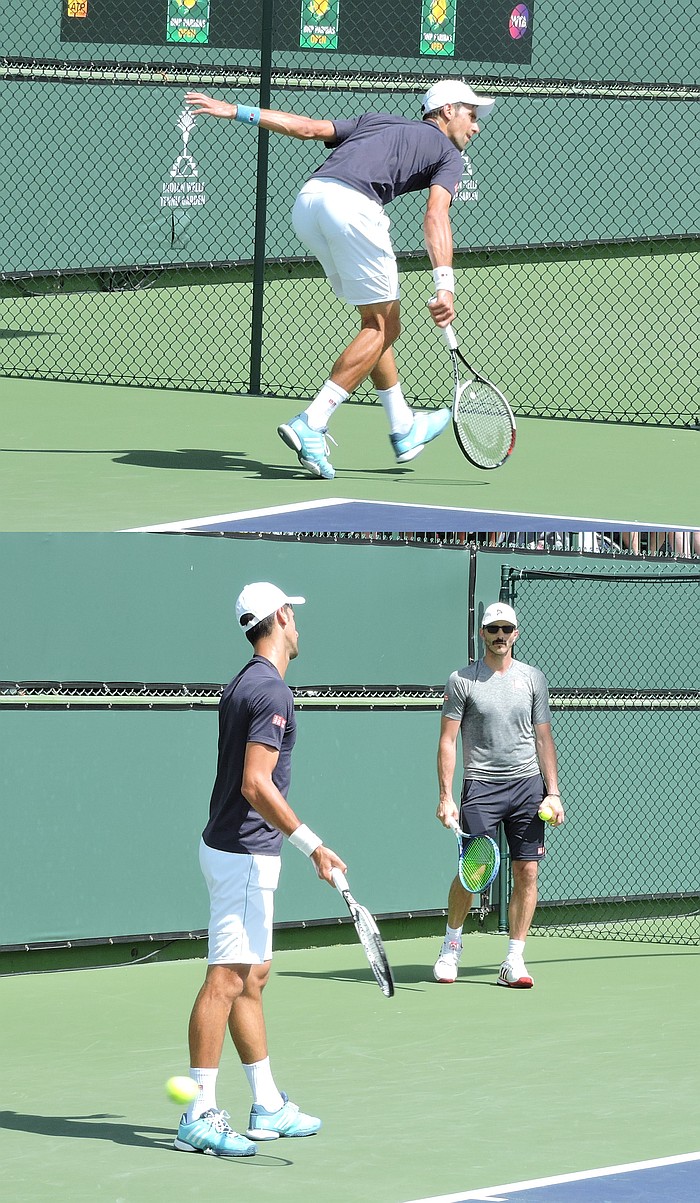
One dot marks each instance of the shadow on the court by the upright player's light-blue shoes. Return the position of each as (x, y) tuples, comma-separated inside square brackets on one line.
[(103, 1128)]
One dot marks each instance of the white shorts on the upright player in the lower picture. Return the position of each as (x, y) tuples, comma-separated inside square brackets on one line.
[(241, 905)]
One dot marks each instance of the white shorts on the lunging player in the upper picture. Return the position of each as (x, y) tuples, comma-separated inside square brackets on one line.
[(349, 236)]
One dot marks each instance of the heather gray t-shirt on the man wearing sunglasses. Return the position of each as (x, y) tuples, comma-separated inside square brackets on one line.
[(499, 713)]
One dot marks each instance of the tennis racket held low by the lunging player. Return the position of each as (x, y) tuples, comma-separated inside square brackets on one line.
[(483, 419)]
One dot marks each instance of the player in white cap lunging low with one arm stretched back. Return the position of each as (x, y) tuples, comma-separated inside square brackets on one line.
[(340, 216)]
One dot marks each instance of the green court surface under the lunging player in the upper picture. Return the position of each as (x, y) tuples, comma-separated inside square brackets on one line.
[(100, 458)]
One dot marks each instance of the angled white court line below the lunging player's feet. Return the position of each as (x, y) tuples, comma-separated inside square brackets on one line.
[(269, 512)]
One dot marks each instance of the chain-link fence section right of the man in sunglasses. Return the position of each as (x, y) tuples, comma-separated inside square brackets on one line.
[(619, 650)]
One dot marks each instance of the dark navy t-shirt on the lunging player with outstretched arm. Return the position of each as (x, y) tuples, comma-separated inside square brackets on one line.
[(383, 157)]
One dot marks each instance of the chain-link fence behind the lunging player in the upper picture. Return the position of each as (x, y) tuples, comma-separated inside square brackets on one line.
[(143, 247)]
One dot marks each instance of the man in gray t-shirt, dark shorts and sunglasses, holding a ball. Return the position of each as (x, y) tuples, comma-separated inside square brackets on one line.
[(501, 709)]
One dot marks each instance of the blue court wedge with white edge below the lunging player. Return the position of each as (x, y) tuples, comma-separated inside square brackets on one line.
[(343, 514)]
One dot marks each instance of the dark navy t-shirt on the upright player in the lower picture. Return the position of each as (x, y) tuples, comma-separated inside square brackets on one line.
[(257, 708)]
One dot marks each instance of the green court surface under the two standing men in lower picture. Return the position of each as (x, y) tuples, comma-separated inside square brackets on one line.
[(440, 1091)]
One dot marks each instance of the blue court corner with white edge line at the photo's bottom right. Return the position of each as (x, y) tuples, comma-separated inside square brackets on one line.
[(673, 1180)]
